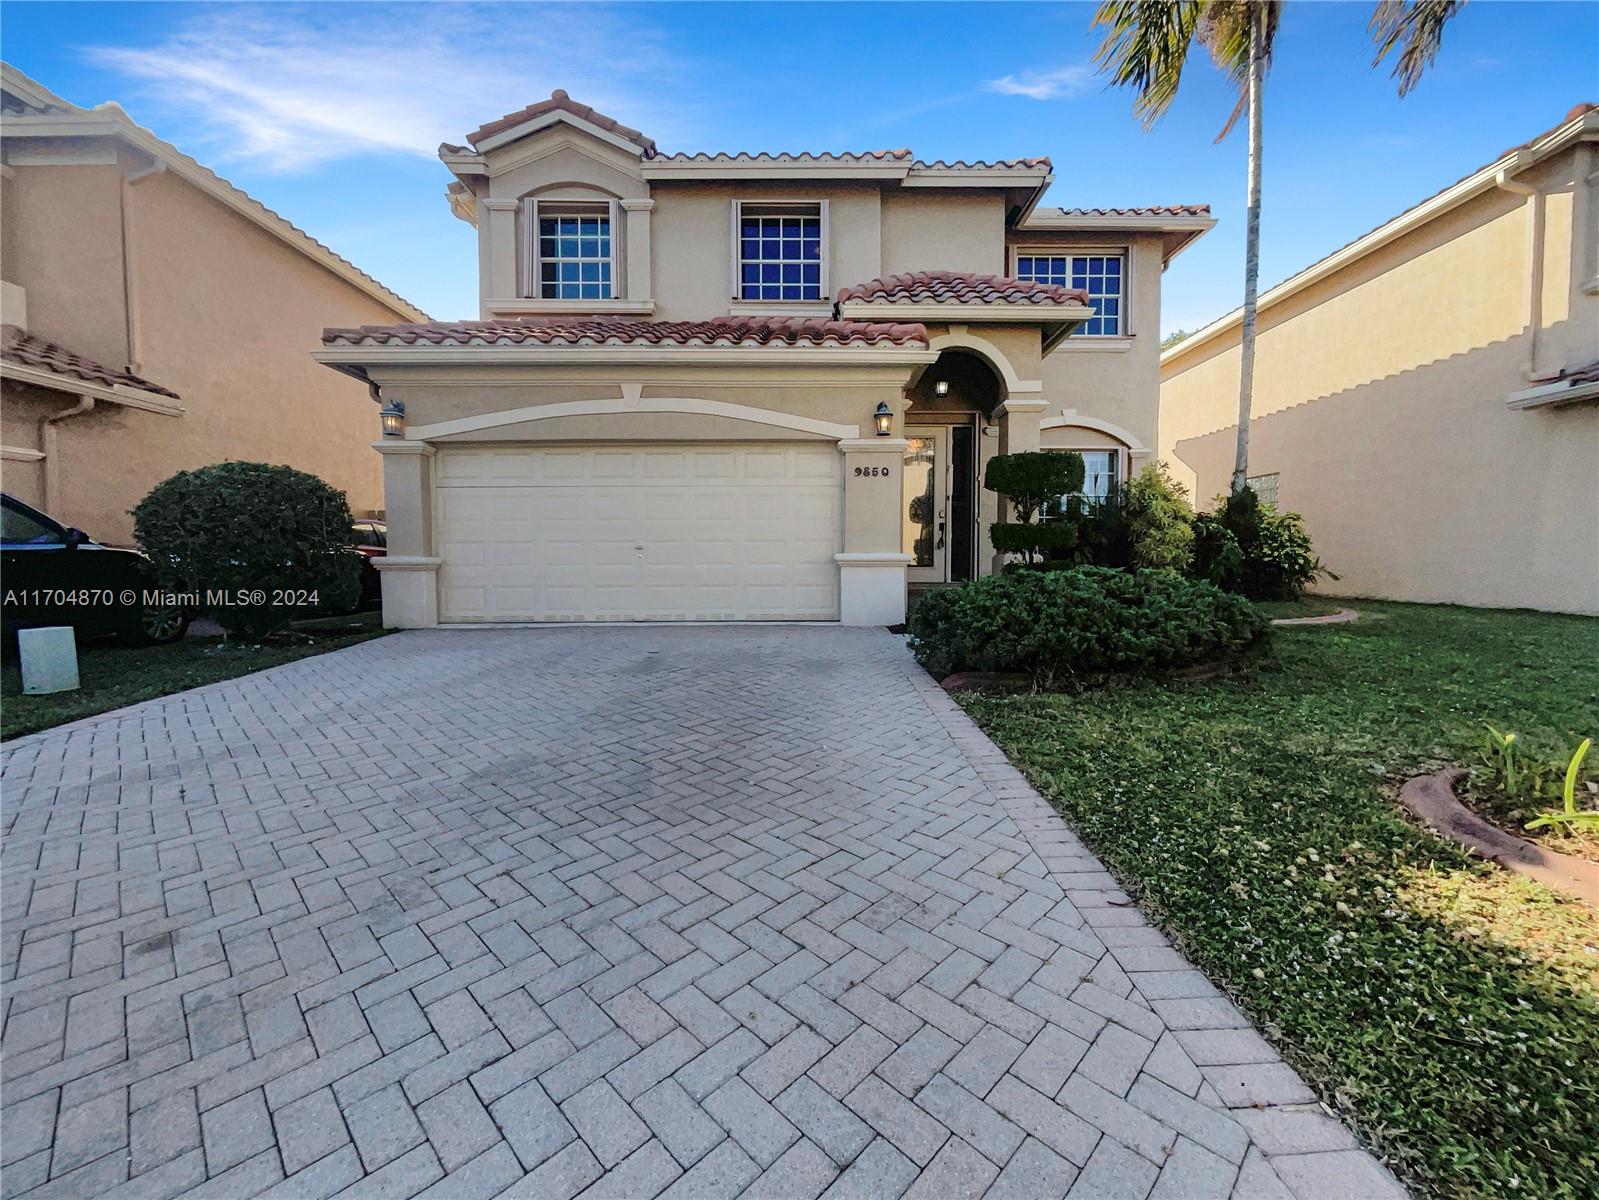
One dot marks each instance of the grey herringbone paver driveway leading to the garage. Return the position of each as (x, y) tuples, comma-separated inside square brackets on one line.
[(687, 911)]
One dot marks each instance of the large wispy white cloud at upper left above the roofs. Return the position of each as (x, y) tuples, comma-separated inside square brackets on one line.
[(289, 87)]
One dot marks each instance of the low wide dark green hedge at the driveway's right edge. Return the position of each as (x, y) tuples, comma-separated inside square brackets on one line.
[(1088, 622)]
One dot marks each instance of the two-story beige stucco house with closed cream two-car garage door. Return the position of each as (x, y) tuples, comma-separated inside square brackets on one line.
[(671, 406)]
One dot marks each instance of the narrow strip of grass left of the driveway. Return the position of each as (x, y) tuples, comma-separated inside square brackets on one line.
[(114, 678)]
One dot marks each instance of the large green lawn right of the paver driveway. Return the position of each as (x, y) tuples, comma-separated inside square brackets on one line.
[(1448, 1009)]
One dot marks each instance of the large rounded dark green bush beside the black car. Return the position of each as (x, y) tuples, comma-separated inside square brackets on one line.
[(257, 545)]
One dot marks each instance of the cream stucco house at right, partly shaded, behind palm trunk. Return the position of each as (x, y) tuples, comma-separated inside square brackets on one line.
[(1429, 396)]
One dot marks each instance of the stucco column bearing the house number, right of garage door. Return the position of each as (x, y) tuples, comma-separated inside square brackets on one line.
[(872, 564)]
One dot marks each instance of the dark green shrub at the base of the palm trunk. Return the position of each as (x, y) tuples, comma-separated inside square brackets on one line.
[(1254, 551)]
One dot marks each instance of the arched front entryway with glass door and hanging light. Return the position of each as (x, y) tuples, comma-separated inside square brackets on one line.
[(951, 434)]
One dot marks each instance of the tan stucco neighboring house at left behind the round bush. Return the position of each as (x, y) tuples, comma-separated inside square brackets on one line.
[(158, 319)]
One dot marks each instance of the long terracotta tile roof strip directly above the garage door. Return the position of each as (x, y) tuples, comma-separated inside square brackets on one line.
[(612, 332)]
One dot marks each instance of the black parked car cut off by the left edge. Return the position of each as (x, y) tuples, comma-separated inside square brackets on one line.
[(54, 575)]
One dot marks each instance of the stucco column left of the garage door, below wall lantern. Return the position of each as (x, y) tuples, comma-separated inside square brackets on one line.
[(410, 570)]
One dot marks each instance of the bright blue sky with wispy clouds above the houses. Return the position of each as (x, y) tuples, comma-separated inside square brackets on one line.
[(332, 114)]
